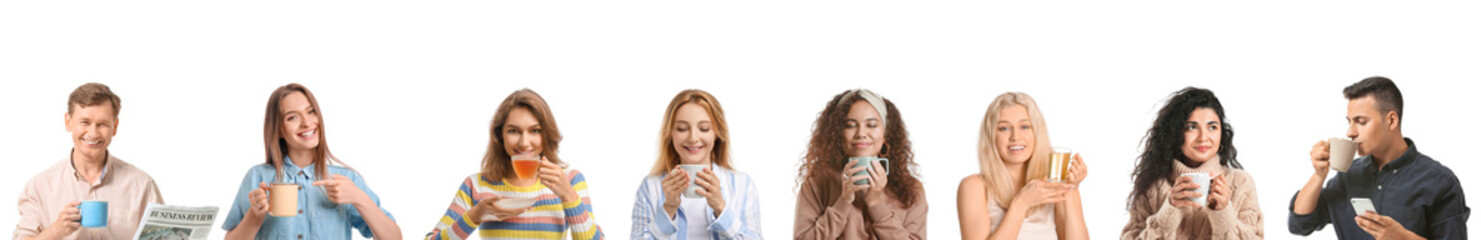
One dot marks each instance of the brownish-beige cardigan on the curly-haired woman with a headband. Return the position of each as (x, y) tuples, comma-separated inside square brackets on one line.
[(889, 220)]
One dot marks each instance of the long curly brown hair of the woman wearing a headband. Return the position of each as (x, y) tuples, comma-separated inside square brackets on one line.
[(826, 158)]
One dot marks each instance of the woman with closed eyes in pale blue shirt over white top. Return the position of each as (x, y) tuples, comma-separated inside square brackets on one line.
[(725, 202)]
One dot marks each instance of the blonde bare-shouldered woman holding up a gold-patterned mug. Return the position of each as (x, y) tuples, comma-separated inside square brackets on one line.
[(1011, 198)]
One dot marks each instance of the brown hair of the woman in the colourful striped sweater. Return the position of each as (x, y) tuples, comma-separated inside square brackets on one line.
[(497, 162)]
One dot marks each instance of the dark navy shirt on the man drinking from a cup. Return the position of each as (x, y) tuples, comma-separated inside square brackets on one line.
[(1415, 190)]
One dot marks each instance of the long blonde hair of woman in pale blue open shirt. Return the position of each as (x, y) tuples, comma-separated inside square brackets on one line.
[(667, 156)]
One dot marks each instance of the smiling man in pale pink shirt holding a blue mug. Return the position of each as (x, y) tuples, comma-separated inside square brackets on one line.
[(90, 174)]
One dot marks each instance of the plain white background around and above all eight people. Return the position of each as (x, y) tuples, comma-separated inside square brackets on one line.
[(408, 90)]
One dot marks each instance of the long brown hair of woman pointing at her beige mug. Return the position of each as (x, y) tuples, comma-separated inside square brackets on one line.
[(273, 133)]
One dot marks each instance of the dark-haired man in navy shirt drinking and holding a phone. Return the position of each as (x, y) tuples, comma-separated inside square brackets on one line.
[(1414, 196)]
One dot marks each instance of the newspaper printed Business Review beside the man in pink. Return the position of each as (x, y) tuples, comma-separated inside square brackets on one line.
[(175, 223)]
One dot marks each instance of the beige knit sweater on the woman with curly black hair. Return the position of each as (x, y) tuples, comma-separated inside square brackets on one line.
[(1154, 219)]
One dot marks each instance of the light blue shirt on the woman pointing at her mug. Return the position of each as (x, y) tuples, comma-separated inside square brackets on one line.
[(318, 219)]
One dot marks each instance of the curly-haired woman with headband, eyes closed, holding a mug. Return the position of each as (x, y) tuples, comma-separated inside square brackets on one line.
[(857, 179)]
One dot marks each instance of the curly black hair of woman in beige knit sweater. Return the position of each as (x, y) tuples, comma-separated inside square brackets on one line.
[(1163, 143)]
